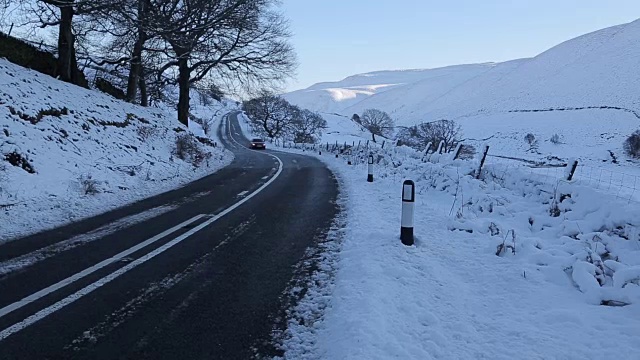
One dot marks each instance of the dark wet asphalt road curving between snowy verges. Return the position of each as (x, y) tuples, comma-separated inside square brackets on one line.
[(201, 281)]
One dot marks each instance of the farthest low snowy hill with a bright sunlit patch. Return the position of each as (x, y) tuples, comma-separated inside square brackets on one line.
[(340, 95)]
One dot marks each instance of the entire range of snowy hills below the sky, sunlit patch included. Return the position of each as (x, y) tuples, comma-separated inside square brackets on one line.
[(593, 70)]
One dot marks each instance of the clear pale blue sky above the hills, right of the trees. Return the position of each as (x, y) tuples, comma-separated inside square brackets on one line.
[(338, 38)]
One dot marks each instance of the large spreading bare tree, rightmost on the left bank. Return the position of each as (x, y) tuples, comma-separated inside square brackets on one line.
[(240, 39)]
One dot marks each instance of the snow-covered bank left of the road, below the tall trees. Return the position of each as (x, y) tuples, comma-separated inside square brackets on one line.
[(68, 153)]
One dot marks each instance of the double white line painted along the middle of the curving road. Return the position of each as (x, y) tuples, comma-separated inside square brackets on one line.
[(90, 288)]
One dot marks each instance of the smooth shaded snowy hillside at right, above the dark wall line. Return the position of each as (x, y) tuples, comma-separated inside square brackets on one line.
[(597, 69)]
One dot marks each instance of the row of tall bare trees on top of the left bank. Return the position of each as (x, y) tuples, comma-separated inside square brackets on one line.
[(233, 46)]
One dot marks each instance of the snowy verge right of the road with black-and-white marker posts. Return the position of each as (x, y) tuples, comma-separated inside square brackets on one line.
[(504, 267)]
